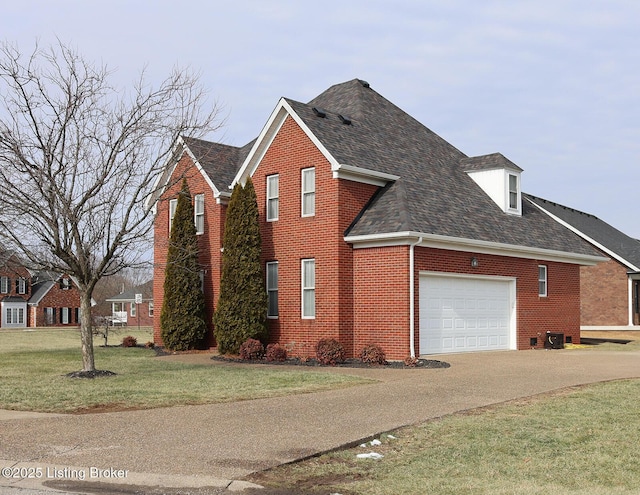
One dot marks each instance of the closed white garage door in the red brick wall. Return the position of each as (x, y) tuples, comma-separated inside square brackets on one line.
[(460, 314)]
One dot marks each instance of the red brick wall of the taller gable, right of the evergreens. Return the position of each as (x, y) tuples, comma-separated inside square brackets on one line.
[(292, 238)]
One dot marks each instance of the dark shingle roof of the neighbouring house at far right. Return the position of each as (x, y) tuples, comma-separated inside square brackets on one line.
[(591, 226)]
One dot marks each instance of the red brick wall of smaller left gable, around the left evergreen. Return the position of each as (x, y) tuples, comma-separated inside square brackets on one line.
[(209, 243)]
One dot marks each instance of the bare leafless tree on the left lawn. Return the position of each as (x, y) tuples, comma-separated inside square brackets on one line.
[(78, 158)]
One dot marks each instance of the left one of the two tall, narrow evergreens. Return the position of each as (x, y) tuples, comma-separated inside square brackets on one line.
[(182, 319)]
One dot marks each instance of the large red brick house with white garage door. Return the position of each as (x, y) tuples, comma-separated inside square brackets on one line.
[(376, 230)]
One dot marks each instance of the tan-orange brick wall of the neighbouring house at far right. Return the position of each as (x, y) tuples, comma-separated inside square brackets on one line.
[(605, 294)]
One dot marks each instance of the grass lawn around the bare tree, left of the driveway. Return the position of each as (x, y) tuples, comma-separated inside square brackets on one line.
[(33, 365)]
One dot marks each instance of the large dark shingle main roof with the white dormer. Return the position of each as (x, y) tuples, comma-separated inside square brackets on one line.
[(434, 194)]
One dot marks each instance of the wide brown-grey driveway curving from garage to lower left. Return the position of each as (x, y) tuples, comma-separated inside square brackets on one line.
[(211, 445)]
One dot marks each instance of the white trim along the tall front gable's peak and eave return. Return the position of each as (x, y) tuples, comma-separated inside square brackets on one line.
[(270, 131)]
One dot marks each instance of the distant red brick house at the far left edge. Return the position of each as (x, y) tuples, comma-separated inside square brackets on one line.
[(36, 299)]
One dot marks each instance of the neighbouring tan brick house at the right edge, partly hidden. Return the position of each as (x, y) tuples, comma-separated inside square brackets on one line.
[(609, 291)]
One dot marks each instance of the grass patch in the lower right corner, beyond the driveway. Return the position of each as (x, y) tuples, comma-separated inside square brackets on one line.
[(582, 441)]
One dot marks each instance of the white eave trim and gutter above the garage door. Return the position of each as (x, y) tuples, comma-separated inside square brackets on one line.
[(470, 245)]
